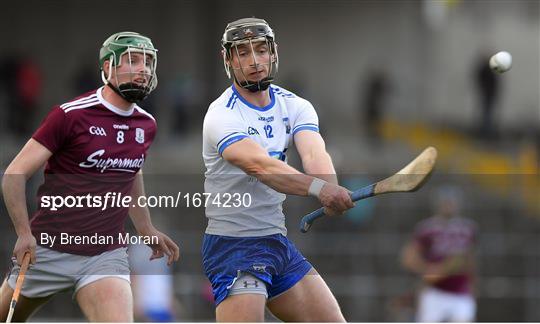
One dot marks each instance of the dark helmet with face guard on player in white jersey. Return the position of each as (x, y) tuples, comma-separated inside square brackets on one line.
[(248, 31)]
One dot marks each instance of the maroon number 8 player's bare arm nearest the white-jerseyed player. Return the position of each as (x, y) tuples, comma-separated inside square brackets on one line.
[(140, 216)]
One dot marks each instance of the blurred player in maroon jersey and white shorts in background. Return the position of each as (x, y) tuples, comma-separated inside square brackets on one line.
[(442, 252)]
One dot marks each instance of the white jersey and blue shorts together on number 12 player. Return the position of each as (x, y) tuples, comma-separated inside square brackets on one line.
[(251, 238)]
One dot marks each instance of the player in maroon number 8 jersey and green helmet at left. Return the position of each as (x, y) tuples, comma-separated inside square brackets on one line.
[(94, 145)]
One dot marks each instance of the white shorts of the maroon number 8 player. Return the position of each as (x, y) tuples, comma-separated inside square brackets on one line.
[(56, 271)]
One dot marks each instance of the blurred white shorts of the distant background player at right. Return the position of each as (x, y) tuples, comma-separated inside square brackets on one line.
[(436, 305)]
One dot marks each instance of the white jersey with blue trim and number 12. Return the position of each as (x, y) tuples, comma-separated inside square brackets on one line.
[(231, 118)]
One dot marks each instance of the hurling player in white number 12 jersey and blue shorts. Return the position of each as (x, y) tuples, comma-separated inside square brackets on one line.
[(246, 133)]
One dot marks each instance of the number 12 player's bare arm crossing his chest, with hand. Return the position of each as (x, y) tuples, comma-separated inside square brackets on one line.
[(254, 160)]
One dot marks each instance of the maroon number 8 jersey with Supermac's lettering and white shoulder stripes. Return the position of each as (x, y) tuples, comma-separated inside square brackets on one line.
[(97, 149)]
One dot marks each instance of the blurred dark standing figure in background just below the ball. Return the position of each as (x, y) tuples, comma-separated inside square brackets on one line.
[(488, 90)]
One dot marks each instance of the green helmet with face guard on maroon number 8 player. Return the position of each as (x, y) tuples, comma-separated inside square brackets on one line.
[(118, 49)]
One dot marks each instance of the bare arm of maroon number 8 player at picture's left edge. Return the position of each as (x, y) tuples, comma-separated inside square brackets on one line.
[(31, 158)]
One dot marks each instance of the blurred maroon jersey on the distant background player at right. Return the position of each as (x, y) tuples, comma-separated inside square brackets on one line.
[(440, 238)]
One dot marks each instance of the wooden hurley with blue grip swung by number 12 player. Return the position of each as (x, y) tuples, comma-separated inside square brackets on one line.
[(408, 179)]
